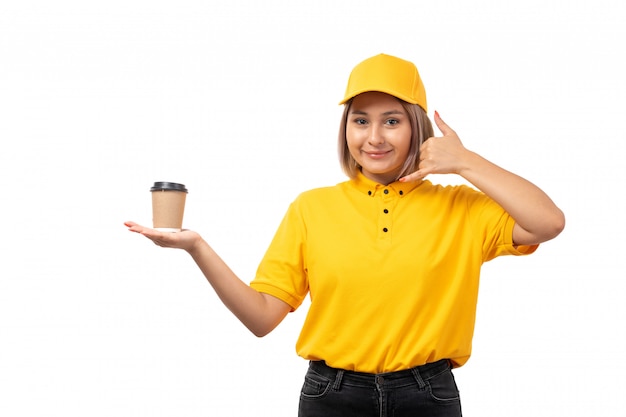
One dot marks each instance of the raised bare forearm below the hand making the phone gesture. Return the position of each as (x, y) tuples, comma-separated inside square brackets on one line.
[(532, 209)]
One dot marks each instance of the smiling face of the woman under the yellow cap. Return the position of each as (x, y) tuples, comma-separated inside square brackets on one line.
[(378, 133)]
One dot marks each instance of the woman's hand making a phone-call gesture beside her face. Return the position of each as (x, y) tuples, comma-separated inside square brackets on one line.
[(440, 154)]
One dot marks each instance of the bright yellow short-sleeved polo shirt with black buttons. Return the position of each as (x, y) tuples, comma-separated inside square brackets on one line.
[(392, 271)]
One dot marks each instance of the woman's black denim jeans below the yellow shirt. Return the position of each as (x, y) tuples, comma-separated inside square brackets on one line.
[(429, 390)]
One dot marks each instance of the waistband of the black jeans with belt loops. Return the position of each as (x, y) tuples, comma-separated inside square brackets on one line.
[(418, 373)]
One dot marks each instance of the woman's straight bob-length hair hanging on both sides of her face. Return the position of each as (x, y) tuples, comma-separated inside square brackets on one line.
[(421, 129)]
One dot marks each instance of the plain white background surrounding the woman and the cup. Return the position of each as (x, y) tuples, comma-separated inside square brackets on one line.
[(238, 100)]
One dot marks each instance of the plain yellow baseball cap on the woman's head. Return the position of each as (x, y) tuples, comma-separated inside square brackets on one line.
[(387, 74)]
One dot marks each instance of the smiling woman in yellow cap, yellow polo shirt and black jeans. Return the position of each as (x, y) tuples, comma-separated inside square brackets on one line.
[(390, 261)]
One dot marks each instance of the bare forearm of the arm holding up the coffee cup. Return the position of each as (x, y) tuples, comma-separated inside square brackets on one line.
[(255, 310)]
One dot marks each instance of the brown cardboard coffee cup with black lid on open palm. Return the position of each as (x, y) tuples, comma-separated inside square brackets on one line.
[(168, 206)]
